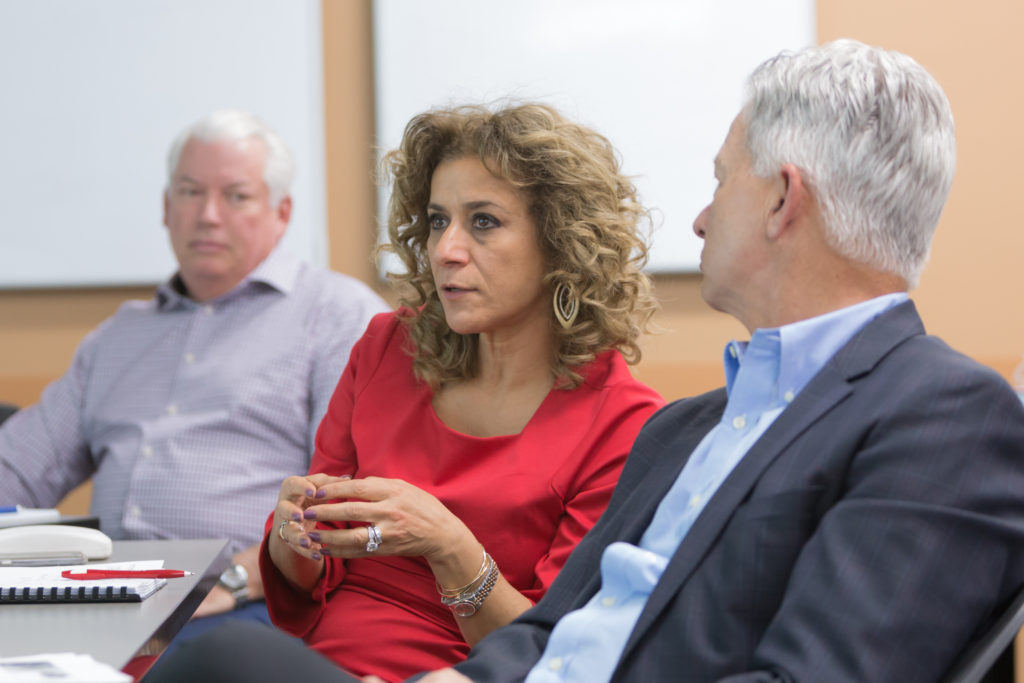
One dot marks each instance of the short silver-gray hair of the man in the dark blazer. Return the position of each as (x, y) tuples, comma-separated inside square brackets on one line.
[(873, 136)]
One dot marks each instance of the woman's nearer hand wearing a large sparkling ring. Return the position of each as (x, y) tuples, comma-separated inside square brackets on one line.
[(411, 522)]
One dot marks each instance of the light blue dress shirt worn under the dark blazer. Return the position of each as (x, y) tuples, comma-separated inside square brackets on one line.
[(762, 378)]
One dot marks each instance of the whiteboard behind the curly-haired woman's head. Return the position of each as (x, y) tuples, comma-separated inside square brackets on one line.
[(662, 79)]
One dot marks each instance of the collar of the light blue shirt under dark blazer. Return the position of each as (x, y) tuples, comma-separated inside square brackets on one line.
[(794, 354)]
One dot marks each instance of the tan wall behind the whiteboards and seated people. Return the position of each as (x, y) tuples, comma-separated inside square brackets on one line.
[(970, 293)]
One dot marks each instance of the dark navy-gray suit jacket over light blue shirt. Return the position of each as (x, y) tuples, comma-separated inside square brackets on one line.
[(869, 536)]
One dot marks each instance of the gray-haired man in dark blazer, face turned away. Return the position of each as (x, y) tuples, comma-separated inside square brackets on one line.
[(851, 508)]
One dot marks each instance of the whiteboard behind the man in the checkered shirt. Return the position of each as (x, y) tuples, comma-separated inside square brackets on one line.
[(94, 93)]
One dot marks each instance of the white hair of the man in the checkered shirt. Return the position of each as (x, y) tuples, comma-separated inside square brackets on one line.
[(238, 126)]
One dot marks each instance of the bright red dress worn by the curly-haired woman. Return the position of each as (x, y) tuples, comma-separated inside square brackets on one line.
[(529, 498)]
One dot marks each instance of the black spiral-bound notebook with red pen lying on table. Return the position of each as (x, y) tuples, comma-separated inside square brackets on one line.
[(26, 585)]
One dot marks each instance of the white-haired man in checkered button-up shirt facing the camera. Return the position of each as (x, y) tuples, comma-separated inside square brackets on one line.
[(188, 410)]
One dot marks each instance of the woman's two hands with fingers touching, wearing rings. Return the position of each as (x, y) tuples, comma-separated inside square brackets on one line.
[(412, 523)]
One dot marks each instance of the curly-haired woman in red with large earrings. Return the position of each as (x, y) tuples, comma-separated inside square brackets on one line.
[(479, 432)]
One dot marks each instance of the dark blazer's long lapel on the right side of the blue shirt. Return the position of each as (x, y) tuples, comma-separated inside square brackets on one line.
[(829, 388)]
